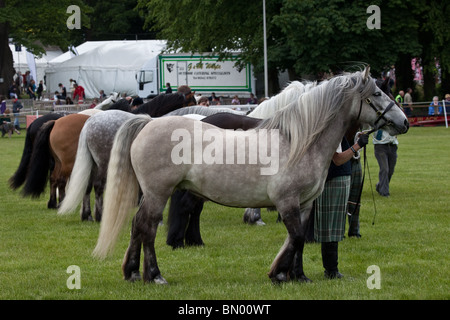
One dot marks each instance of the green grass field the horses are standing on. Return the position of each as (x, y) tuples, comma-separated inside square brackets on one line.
[(408, 242)]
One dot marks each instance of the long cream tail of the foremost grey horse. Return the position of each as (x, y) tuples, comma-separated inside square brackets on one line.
[(122, 187)]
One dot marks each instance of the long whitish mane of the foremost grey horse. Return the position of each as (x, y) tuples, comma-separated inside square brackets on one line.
[(304, 119)]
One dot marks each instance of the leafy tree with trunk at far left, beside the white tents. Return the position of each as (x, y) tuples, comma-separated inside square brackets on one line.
[(34, 25)]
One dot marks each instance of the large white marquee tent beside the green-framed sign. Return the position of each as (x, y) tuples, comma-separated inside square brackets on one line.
[(103, 65)]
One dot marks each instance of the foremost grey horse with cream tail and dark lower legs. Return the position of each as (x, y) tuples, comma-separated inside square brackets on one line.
[(310, 129)]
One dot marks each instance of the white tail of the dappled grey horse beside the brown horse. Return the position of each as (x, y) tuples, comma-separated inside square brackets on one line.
[(79, 178)]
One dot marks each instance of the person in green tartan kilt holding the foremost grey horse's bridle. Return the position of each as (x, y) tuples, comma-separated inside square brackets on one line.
[(331, 206)]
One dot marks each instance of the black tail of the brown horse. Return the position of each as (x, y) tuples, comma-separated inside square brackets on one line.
[(40, 163)]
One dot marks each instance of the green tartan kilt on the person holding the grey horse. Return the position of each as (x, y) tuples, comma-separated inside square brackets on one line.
[(331, 210)]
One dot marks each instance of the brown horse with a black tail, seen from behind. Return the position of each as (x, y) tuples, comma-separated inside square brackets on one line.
[(58, 140)]
